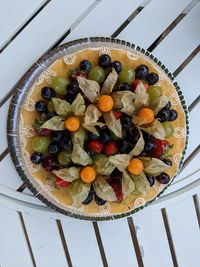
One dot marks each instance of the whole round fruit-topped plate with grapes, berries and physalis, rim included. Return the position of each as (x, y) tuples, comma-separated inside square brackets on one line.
[(98, 128)]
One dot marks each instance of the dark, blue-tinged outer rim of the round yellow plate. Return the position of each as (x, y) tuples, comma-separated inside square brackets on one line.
[(13, 109)]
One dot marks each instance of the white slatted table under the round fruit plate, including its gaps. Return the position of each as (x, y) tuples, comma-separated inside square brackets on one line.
[(166, 233)]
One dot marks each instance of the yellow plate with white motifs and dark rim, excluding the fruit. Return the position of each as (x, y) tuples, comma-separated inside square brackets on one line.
[(21, 116)]
